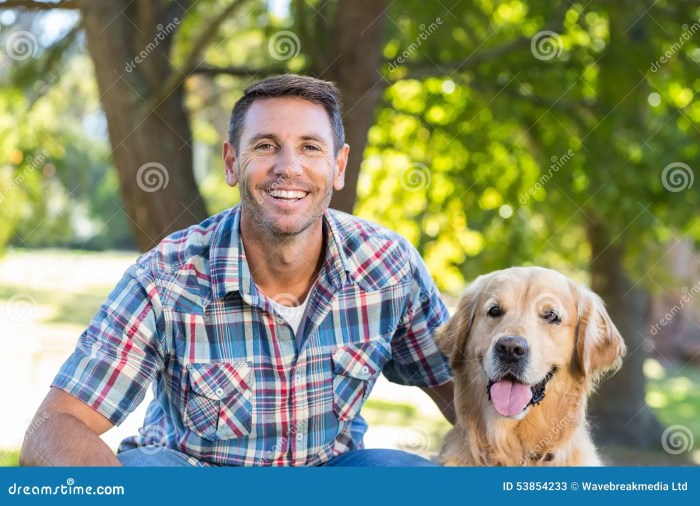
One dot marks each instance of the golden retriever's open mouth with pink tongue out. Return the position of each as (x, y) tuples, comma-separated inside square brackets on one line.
[(510, 396)]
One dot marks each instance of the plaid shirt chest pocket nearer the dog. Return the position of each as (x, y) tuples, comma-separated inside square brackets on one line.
[(355, 369)]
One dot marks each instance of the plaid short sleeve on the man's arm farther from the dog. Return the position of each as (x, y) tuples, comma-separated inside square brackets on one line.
[(119, 354)]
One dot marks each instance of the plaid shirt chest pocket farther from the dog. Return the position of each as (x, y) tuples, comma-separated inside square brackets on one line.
[(219, 402)]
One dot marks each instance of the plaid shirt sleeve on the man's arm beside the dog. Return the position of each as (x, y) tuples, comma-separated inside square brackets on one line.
[(416, 358)]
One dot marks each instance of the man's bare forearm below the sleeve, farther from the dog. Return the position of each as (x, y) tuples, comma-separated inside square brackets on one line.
[(66, 432)]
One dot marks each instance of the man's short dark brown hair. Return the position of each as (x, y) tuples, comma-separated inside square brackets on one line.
[(324, 93)]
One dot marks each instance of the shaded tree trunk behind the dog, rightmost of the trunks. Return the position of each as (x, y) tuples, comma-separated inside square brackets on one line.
[(618, 411)]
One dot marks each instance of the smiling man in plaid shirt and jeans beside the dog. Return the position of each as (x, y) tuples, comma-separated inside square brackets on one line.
[(264, 327)]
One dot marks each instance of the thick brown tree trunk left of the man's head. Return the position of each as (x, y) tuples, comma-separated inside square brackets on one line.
[(151, 141)]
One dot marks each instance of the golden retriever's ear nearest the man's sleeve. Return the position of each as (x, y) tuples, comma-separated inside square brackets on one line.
[(452, 336)]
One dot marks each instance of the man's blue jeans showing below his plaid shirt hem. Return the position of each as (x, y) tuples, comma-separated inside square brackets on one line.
[(165, 457)]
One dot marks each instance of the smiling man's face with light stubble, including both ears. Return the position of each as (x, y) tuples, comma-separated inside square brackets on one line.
[(285, 165)]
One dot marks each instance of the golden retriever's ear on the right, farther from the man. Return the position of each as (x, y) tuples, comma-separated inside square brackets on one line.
[(599, 345)]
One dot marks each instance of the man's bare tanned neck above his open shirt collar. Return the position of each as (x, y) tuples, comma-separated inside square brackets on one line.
[(284, 269)]
